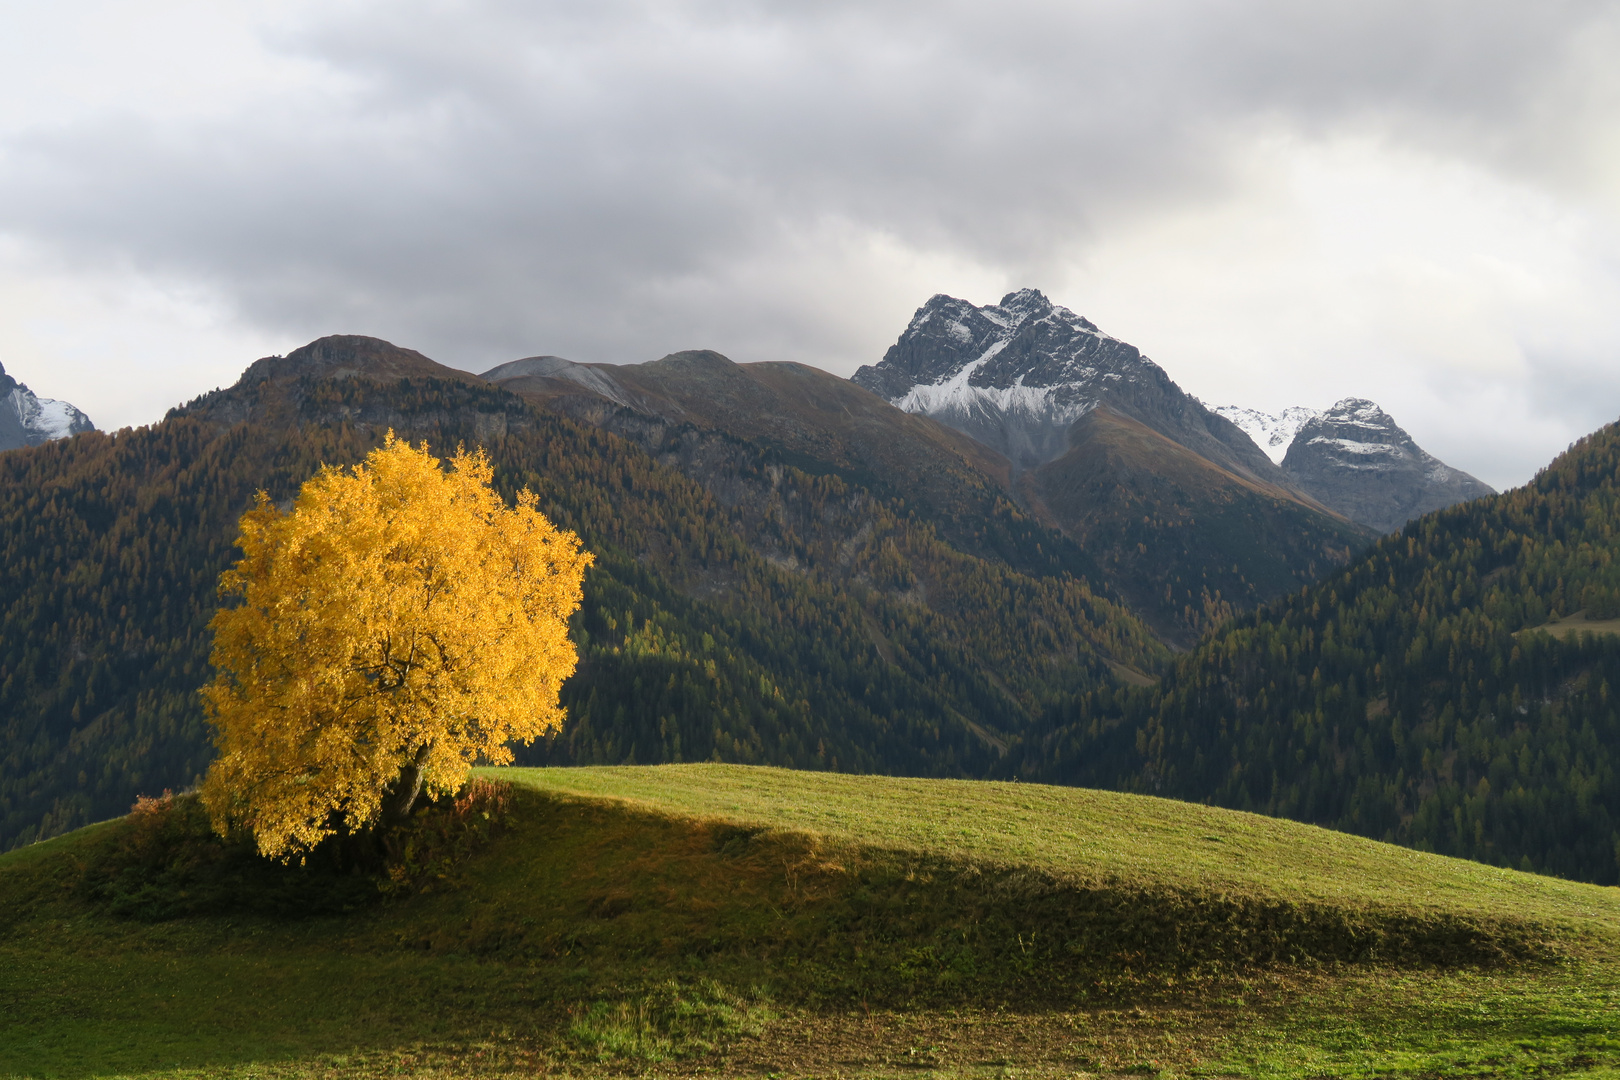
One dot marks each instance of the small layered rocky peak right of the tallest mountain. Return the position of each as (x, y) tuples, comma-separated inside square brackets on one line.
[(1362, 464)]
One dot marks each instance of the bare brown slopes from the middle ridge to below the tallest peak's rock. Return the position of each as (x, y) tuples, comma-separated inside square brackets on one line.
[(1185, 542)]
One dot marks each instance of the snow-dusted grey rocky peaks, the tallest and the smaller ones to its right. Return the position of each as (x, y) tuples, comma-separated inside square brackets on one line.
[(1023, 376)]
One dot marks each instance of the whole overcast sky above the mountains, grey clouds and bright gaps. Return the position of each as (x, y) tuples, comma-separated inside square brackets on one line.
[(1282, 203)]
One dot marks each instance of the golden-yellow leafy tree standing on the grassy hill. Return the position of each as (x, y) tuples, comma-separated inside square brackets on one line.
[(398, 626)]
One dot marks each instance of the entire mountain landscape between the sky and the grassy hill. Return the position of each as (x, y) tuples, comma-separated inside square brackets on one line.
[(1012, 548)]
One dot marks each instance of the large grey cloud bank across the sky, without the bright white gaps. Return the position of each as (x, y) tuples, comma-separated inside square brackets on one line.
[(498, 179)]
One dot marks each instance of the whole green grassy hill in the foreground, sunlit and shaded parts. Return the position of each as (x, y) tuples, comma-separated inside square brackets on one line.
[(696, 921)]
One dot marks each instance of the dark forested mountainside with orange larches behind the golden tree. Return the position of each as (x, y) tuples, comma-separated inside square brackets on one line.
[(801, 619)]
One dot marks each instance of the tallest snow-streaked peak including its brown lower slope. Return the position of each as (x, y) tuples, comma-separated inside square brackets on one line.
[(1185, 514)]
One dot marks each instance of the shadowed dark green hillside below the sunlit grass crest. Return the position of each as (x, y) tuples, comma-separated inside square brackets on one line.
[(584, 903)]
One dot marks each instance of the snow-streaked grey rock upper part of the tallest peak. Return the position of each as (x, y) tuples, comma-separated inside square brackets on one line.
[(1020, 375)]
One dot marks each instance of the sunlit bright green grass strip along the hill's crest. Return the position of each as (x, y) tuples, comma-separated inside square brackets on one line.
[(1096, 838)]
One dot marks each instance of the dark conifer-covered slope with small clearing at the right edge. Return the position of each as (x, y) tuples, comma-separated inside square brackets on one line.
[(1413, 697)]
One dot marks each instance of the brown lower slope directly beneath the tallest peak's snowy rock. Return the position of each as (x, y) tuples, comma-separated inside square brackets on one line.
[(1183, 540)]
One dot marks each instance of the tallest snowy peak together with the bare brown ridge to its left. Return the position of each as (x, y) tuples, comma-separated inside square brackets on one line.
[(1167, 504)]
